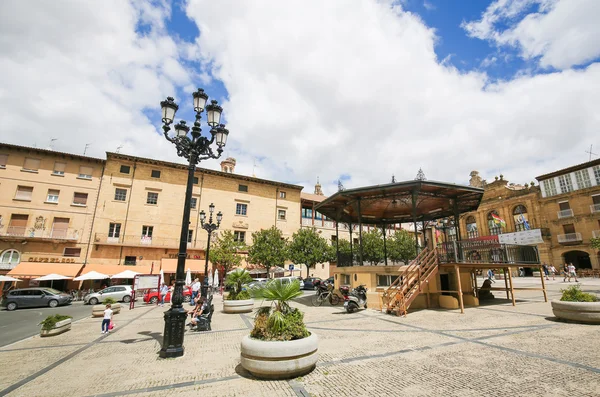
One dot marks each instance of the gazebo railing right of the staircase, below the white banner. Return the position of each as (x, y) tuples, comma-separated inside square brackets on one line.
[(487, 252)]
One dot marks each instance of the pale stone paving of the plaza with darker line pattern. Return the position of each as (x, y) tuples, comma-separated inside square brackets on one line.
[(493, 350)]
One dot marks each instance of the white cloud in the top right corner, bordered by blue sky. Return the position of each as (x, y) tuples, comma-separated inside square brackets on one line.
[(562, 33)]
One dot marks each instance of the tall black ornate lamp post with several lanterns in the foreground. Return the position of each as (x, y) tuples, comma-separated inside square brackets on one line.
[(194, 148)]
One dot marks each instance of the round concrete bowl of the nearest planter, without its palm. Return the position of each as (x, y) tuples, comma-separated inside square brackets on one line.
[(279, 360)]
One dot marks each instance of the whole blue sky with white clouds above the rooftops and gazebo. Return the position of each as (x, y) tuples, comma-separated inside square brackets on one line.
[(355, 91)]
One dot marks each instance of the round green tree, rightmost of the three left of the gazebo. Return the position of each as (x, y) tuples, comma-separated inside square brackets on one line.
[(308, 248)]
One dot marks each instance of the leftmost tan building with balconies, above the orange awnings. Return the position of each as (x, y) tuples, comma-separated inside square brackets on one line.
[(47, 203)]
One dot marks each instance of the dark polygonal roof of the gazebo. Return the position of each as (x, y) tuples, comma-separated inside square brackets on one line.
[(393, 203)]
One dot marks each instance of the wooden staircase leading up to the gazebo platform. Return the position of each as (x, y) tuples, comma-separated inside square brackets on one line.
[(405, 289)]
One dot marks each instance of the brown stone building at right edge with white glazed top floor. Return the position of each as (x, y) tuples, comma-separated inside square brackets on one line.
[(570, 209)]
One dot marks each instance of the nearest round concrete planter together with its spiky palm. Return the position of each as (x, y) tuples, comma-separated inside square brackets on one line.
[(279, 346)]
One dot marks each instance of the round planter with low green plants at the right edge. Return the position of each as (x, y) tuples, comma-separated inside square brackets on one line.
[(576, 305)]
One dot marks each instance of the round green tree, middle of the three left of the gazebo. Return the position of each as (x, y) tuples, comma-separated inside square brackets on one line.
[(268, 249)]
